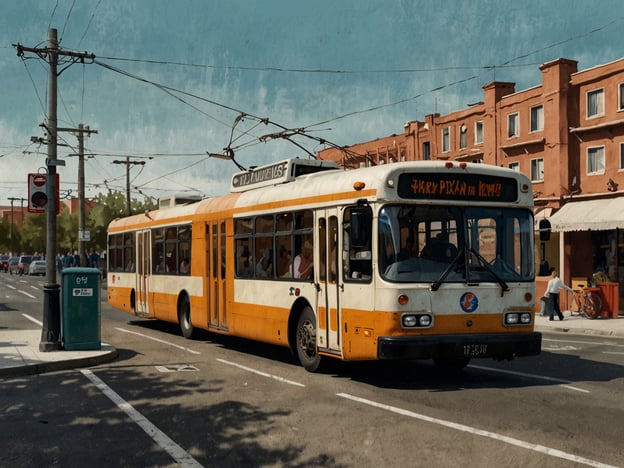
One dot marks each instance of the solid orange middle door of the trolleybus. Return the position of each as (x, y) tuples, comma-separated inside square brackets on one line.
[(216, 280)]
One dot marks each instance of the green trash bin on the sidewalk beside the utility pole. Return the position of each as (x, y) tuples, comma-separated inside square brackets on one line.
[(80, 304)]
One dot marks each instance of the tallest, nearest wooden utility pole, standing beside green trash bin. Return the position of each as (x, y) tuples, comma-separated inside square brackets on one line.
[(51, 330)]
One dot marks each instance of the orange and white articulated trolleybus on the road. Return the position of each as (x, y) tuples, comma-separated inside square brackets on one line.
[(411, 260)]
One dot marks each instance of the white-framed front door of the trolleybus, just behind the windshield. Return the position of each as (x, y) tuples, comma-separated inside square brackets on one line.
[(329, 320)]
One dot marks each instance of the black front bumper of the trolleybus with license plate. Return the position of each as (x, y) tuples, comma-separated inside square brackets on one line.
[(495, 346)]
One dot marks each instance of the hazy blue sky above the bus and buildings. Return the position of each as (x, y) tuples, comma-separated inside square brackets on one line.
[(171, 78)]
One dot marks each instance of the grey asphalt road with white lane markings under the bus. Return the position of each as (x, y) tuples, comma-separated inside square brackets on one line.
[(218, 401)]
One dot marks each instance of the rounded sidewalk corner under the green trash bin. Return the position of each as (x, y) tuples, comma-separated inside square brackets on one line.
[(20, 355)]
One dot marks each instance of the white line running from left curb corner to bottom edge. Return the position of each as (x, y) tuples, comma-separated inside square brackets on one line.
[(163, 440)]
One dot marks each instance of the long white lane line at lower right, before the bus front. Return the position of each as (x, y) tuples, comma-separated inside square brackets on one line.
[(480, 432)]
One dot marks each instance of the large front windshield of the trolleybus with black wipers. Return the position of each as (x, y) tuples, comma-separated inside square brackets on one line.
[(436, 244)]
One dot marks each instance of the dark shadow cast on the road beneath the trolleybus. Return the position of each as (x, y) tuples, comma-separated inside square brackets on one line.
[(547, 369)]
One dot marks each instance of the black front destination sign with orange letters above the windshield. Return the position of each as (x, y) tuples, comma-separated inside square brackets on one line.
[(451, 186)]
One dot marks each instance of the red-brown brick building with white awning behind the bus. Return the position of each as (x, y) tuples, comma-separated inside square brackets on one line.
[(566, 134)]
